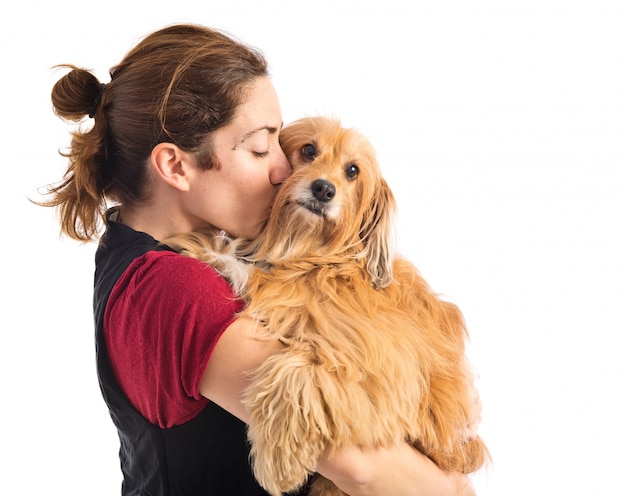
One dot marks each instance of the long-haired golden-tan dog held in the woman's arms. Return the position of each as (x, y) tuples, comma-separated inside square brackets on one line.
[(372, 355)]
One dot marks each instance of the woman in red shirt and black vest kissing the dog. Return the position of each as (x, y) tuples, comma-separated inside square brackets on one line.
[(185, 136)]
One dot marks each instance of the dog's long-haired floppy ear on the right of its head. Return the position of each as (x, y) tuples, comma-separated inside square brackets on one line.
[(377, 234)]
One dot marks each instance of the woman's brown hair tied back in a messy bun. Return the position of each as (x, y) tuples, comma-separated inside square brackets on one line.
[(177, 85)]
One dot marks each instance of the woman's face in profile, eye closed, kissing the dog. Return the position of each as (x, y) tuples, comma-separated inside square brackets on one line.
[(236, 195)]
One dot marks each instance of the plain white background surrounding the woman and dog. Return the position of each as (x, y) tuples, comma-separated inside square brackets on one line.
[(501, 128)]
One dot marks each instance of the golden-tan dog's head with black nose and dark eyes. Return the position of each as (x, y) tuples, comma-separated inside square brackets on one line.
[(336, 202)]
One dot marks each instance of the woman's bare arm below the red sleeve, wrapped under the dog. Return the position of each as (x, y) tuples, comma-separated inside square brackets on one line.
[(399, 470)]
